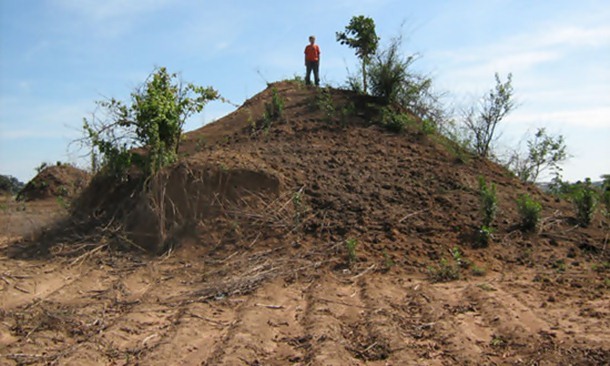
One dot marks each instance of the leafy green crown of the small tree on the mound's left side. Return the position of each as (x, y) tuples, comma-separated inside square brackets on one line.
[(153, 120)]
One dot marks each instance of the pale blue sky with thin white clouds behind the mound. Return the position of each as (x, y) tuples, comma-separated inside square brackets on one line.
[(59, 56)]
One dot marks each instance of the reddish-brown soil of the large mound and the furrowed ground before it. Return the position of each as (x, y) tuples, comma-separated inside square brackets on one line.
[(262, 277)]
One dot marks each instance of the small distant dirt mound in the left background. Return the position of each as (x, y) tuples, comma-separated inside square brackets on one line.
[(55, 181)]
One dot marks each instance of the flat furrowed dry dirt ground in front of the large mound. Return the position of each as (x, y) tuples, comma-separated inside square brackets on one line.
[(269, 306)]
